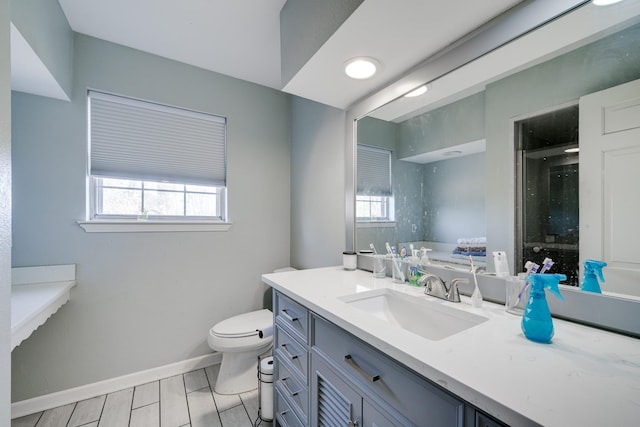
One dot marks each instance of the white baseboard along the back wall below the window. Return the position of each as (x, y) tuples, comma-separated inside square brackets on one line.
[(64, 397)]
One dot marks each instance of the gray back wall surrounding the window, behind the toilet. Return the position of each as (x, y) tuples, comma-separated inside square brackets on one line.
[(143, 299)]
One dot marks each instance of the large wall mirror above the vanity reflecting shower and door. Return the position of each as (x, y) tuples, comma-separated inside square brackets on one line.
[(486, 159)]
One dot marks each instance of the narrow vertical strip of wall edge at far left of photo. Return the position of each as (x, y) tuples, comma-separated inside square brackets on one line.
[(5, 214)]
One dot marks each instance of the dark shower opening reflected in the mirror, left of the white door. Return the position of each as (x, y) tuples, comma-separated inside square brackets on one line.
[(547, 190)]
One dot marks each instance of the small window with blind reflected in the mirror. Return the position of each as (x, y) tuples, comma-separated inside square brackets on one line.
[(374, 197)]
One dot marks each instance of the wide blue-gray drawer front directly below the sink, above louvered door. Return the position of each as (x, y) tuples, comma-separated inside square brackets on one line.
[(376, 374)]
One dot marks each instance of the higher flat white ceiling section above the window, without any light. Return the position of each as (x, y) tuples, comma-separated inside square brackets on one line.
[(239, 38)]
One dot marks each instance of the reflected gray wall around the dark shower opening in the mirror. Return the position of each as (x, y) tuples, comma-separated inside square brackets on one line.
[(609, 62)]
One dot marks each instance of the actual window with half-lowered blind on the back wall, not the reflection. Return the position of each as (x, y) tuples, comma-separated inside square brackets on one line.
[(154, 162)]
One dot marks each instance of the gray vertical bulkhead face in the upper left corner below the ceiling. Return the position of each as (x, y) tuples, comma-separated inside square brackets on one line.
[(43, 24)]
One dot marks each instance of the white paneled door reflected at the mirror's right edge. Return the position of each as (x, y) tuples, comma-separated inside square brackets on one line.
[(610, 184)]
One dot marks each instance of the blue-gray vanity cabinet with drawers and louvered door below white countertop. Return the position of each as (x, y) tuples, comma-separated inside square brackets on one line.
[(325, 376)]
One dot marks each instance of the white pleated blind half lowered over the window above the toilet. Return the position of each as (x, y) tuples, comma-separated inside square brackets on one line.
[(142, 140)]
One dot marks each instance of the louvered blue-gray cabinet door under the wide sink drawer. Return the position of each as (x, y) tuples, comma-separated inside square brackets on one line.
[(333, 402)]
